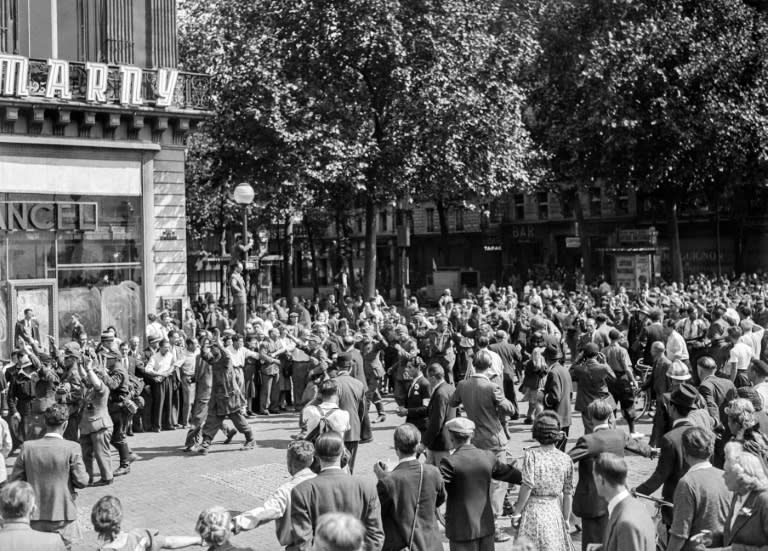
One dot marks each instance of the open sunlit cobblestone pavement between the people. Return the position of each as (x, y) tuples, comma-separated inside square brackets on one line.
[(168, 488)]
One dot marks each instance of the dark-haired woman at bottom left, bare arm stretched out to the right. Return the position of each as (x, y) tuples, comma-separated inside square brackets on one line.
[(107, 519)]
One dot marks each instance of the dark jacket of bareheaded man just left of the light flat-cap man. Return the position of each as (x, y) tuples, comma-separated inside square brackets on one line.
[(397, 495)]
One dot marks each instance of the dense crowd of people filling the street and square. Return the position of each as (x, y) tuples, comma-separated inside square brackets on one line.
[(455, 371)]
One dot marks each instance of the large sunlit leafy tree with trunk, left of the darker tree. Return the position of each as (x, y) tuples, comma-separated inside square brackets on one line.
[(357, 95)]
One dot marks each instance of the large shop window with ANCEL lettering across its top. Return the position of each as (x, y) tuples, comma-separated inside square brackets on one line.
[(98, 270)]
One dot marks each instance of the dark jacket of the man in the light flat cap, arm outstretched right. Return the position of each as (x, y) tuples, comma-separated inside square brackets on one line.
[(467, 474)]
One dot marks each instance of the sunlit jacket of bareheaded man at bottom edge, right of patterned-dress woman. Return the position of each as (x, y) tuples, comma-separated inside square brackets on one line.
[(630, 527)]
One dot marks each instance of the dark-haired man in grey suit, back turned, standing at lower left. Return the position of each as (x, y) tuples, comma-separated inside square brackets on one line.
[(54, 467)]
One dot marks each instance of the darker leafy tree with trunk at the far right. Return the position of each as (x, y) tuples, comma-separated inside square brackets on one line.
[(667, 97)]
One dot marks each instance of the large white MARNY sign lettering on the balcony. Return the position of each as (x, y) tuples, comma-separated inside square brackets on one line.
[(100, 82)]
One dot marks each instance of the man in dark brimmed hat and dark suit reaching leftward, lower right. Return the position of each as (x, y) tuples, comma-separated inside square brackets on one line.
[(671, 466)]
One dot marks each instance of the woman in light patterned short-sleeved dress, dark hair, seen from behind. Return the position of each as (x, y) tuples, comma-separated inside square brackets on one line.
[(547, 490)]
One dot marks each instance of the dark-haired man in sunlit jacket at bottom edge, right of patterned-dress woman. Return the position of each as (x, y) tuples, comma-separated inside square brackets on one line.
[(629, 524)]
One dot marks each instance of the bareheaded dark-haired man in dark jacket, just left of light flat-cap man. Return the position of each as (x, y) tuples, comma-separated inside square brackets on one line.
[(410, 495)]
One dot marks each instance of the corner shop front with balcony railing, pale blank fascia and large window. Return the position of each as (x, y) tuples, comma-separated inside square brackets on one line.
[(92, 203)]
